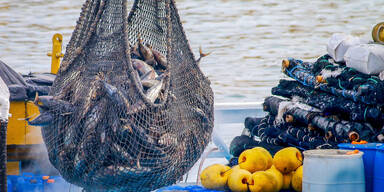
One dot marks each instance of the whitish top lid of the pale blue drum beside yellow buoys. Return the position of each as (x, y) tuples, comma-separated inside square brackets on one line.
[(331, 153)]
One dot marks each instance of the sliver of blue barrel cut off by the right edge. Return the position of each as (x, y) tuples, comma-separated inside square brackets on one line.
[(378, 176)]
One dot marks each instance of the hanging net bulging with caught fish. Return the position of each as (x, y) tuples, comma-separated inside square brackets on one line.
[(130, 109)]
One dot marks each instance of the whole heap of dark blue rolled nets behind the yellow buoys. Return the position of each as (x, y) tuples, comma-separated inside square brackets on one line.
[(327, 103)]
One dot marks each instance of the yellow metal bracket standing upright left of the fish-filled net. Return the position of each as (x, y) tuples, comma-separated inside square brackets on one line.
[(56, 55)]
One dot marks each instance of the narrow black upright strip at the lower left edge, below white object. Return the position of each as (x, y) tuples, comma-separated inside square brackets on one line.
[(3, 156)]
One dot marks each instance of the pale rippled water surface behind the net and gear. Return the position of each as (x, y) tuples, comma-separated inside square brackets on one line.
[(247, 38)]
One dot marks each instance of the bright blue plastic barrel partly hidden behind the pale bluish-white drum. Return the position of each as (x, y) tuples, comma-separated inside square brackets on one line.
[(368, 158)]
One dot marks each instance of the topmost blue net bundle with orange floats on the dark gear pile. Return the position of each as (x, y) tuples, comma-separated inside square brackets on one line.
[(336, 79)]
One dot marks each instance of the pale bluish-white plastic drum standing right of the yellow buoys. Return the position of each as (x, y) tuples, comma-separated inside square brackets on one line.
[(333, 170)]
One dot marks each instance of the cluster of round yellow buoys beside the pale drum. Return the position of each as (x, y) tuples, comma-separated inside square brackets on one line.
[(257, 171)]
